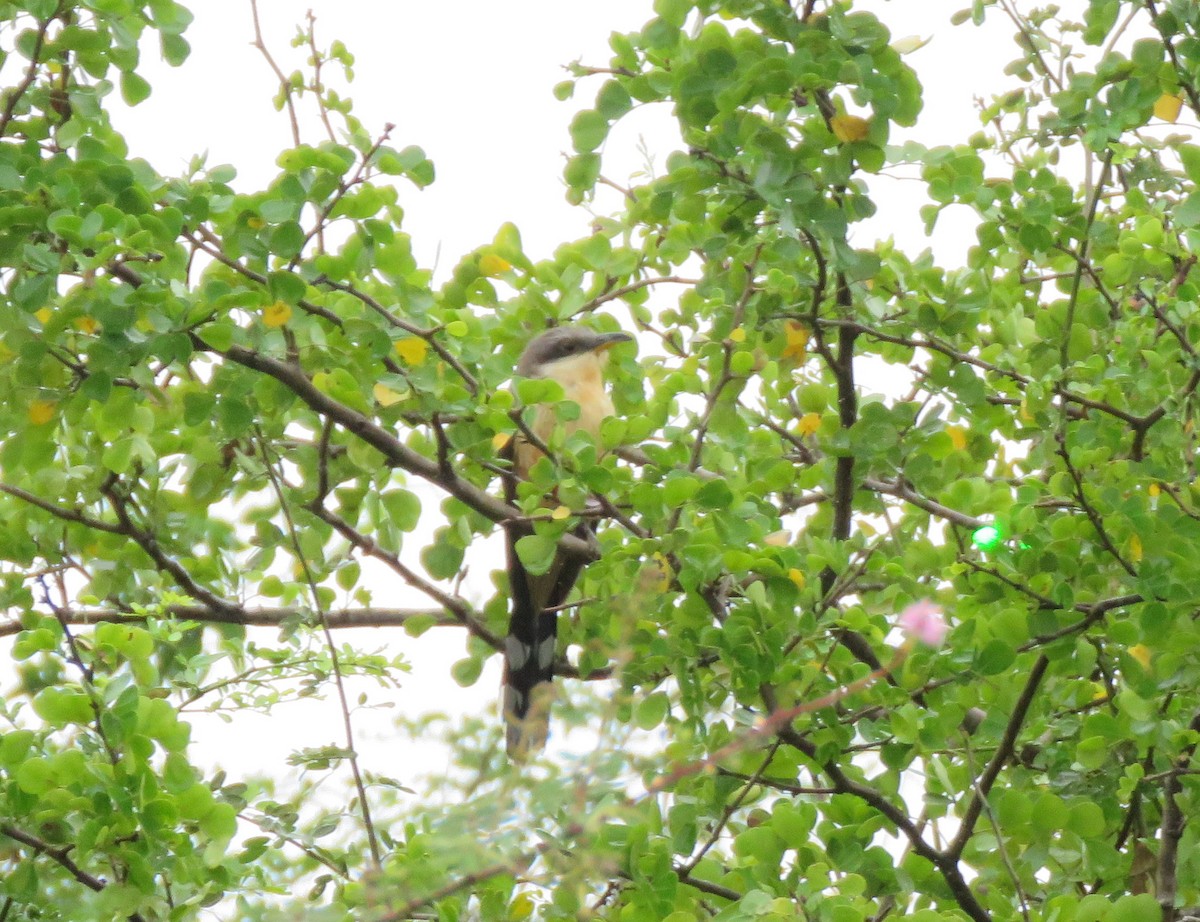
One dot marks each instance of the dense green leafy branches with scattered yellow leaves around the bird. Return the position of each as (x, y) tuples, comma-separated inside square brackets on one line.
[(219, 404)]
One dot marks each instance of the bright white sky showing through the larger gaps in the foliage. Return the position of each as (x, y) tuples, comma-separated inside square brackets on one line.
[(471, 82)]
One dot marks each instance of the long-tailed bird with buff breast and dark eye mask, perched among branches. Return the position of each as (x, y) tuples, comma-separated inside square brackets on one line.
[(575, 357)]
